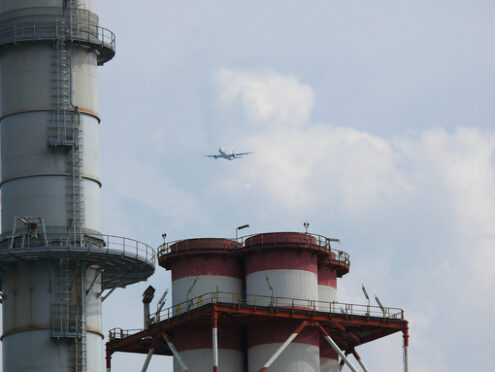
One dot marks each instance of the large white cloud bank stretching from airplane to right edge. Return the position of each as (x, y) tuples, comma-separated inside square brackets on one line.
[(319, 164)]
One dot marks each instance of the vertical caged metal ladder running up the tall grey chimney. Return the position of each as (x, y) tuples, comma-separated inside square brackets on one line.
[(65, 135)]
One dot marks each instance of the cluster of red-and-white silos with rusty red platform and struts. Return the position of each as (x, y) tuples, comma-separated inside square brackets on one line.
[(266, 302)]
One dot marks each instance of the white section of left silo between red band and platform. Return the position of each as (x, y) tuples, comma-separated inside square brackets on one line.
[(205, 284)]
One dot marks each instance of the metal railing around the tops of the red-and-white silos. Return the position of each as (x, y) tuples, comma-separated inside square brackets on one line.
[(307, 239)]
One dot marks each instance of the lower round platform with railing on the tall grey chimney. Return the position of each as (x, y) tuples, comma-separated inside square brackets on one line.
[(123, 261)]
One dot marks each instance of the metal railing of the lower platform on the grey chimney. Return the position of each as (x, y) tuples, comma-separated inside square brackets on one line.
[(86, 242)]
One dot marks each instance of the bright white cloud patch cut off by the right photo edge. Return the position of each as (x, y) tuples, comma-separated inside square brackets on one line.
[(462, 162)]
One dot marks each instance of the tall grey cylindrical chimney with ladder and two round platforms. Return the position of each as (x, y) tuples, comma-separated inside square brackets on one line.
[(56, 267)]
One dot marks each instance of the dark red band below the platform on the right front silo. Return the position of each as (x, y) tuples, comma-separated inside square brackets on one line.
[(271, 333)]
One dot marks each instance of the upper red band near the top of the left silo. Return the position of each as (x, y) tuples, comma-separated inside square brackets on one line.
[(219, 265)]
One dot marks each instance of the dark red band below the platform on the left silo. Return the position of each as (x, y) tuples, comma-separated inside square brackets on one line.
[(193, 338)]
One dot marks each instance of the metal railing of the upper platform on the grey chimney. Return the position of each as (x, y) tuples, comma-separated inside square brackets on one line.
[(27, 31)]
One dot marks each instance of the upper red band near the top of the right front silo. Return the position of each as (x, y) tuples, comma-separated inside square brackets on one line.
[(280, 260)]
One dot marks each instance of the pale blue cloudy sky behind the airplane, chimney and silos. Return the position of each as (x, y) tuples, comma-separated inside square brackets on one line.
[(373, 121)]
